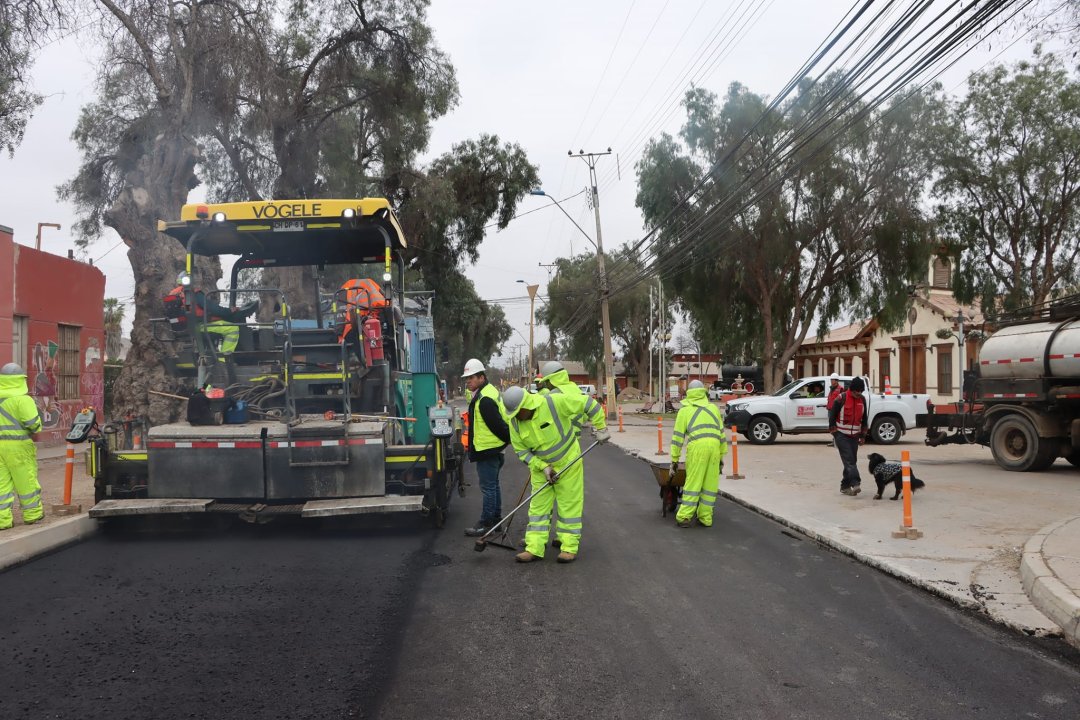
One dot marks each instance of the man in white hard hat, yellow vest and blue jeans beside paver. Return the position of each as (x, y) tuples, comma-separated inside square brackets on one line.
[(489, 434)]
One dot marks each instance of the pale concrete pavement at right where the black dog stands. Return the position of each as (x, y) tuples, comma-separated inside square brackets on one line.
[(1007, 545)]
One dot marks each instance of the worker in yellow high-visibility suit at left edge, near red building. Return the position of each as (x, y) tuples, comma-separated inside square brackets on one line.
[(20, 425)]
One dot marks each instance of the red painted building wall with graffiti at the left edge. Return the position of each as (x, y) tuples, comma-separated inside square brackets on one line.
[(50, 291)]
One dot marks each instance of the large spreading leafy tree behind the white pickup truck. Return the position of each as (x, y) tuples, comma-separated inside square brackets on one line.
[(808, 213)]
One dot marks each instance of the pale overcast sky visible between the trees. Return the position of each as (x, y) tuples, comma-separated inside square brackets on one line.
[(551, 77)]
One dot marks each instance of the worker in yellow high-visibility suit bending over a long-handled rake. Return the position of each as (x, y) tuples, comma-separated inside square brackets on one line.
[(542, 432)]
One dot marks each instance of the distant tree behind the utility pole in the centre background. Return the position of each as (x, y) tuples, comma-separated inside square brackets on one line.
[(574, 288)]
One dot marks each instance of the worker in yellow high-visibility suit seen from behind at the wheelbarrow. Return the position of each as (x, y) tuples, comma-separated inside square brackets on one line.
[(699, 428)]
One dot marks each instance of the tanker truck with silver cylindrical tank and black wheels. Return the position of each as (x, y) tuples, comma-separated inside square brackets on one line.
[(1023, 400)]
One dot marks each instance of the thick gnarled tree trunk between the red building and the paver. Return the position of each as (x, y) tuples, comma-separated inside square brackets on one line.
[(156, 191)]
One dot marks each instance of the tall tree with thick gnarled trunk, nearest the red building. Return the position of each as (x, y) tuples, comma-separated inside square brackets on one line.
[(140, 144)]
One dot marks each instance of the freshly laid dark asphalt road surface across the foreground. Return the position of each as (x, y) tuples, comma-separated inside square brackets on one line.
[(384, 619)]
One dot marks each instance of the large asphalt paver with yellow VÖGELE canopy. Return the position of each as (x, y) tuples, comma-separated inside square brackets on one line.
[(336, 414)]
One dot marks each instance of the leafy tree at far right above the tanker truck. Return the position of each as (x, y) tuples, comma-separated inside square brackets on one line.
[(1009, 189)]
